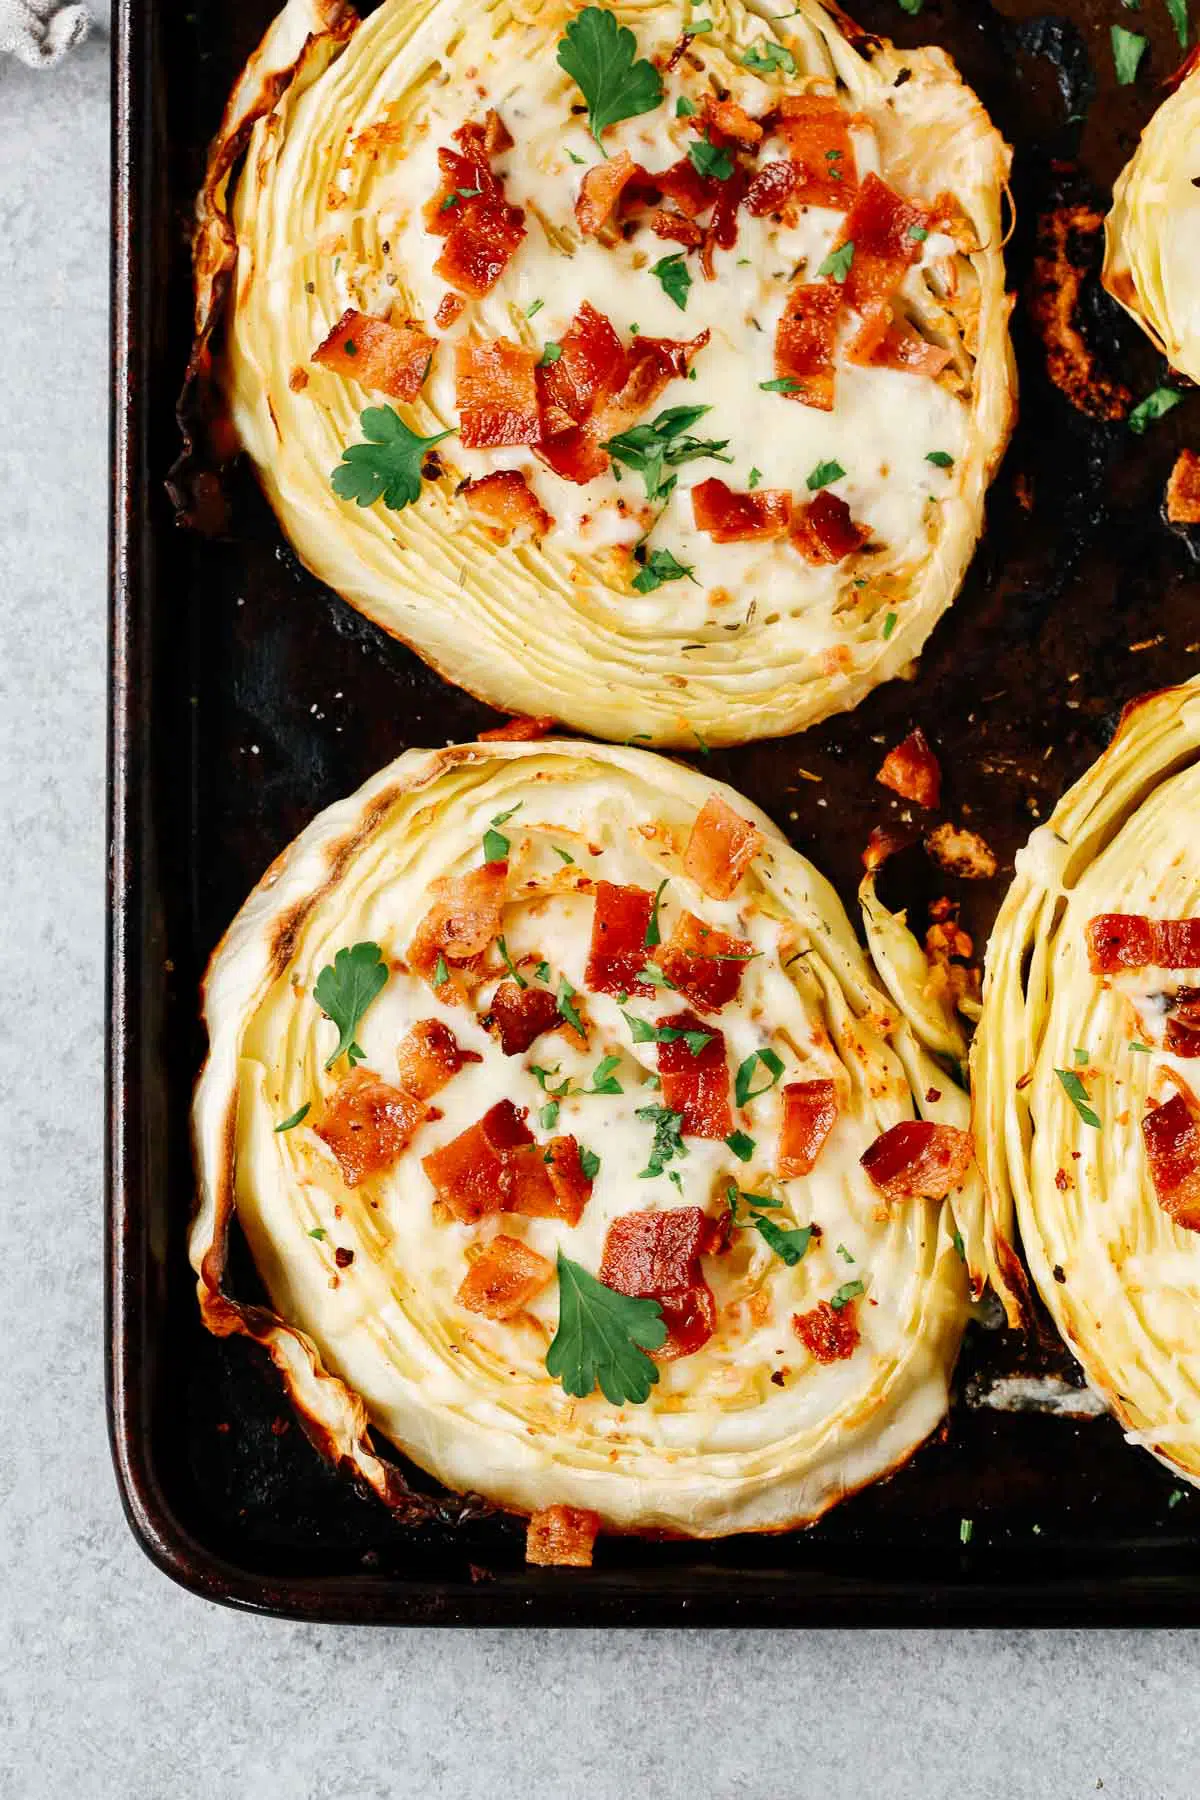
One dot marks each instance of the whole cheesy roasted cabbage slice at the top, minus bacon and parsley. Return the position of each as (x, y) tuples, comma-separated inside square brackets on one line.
[(758, 642)]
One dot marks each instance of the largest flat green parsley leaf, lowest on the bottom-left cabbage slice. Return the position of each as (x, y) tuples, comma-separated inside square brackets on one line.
[(604, 1338)]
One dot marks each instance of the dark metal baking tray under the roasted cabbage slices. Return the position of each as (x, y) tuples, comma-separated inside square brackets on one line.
[(246, 697)]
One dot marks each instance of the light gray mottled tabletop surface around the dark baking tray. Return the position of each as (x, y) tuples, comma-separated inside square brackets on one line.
[(114, 1686)]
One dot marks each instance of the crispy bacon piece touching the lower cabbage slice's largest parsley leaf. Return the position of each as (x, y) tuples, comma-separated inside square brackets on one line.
[(658, 1257)]
